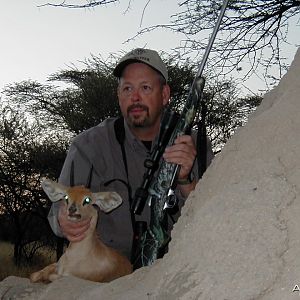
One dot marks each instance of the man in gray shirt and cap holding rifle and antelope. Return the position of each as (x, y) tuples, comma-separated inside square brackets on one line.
[(143, 93)]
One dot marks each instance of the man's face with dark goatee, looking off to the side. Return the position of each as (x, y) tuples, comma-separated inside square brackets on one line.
[(142, 96)]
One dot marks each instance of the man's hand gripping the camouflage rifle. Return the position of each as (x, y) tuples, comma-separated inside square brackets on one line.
[(183, 153)]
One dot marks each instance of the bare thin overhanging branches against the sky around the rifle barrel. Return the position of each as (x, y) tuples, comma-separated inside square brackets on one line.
[(252, 34)]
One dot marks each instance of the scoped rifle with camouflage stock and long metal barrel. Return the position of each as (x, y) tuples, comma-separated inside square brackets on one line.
[(158, 191)]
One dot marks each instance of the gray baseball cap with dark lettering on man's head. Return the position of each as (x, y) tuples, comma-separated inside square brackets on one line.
[(146, 56)]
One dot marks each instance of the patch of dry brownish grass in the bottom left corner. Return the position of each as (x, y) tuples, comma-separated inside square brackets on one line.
[(8, 268)]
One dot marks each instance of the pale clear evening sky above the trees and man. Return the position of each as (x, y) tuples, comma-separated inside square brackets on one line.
[(39, 41)]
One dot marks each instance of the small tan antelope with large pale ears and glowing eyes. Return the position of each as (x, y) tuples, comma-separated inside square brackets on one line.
[(90, 258)]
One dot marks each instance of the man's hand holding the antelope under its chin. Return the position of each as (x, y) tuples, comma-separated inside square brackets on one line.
[(73, 231)]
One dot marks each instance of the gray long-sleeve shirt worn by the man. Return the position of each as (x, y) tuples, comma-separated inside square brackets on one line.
[(98, 147)]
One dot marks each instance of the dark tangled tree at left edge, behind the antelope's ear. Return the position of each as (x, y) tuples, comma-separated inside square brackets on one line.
[(25, 157)]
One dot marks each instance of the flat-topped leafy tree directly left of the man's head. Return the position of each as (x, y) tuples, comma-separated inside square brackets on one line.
[(88, 97)]
